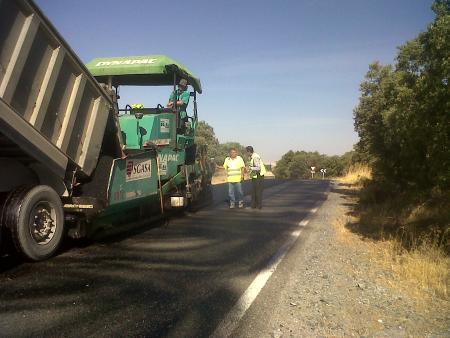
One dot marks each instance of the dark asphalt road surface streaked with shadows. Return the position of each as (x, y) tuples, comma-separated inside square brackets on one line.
[(177, 280)]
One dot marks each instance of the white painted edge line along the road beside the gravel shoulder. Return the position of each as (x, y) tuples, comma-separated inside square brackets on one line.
[(231, 320)]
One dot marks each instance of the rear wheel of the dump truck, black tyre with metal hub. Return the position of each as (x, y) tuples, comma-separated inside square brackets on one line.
[(35, 219)]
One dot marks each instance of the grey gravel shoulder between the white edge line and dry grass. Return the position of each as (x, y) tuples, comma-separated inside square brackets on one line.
[(329, 287)]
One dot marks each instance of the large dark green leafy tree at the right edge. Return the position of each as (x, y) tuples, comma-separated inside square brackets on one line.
[(403, 115)]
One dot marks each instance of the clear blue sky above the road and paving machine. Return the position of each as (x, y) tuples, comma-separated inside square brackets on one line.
[(278, 75)]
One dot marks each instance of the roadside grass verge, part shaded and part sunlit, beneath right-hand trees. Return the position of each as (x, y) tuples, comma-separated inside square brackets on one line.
[(409, 240)]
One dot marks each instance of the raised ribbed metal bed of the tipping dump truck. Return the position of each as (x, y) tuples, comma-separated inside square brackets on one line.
[(50, 106)]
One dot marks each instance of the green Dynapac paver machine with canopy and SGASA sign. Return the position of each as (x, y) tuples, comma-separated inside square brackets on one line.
[(183, 171)]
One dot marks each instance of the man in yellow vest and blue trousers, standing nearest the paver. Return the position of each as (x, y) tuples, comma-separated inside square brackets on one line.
[(234, 167)]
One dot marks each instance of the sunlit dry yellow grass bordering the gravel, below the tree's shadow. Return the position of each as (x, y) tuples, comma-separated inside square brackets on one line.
[(421, 271)]
